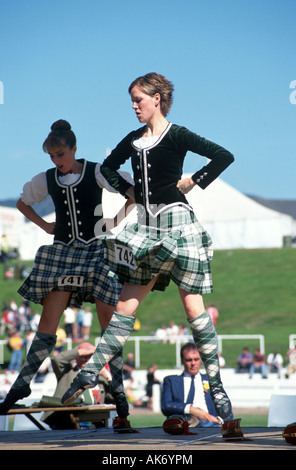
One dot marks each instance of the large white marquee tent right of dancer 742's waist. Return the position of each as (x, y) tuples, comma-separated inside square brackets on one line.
[(236, 221)]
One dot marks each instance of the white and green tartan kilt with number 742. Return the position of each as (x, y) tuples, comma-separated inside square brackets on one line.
[(176, 248)]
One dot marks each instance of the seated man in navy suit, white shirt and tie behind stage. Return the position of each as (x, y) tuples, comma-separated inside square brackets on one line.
[(177, 397)]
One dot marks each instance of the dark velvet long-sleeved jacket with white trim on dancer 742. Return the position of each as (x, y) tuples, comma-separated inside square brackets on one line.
[(157, 169)]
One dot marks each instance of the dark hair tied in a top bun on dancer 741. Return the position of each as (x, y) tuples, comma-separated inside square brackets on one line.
[(61, 135)]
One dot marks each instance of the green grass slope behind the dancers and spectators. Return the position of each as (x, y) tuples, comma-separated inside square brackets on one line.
[(254, 291)]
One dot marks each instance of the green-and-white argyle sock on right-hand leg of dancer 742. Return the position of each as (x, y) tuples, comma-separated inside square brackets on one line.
[(205, 338)]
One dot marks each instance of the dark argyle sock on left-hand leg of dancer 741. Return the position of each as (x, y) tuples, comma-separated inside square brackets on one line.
[(41, 347)]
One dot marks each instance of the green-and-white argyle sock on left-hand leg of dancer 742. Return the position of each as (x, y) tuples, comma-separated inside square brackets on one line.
[(111, 343)]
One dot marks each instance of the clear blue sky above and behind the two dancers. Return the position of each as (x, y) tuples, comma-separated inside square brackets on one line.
[(231, 62)]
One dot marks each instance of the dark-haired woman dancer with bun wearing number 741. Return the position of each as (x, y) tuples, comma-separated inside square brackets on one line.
[(71, 270)]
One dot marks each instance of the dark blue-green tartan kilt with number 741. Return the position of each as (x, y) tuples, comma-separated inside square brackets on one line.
[(59, 267)]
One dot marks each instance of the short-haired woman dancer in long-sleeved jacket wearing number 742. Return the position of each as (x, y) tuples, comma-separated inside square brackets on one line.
[(167, 243)]
